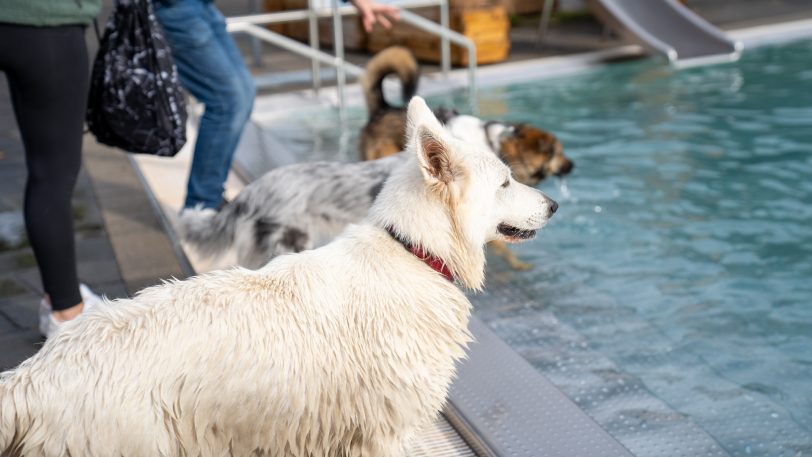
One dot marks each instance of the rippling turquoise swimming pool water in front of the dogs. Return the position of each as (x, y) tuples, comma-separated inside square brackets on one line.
[(672, 294)]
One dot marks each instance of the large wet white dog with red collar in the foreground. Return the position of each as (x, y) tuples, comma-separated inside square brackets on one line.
[(345, 350)]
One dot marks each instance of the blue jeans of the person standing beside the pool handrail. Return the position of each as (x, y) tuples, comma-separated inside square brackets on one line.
[(211, 68)]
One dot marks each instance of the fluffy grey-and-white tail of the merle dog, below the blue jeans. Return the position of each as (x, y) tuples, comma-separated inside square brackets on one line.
[(210, 232)]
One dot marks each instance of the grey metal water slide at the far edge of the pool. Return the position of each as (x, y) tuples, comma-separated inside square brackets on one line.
[(668, 28)]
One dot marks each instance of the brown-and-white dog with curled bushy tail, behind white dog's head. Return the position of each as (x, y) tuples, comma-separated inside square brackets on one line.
[(532, 154)]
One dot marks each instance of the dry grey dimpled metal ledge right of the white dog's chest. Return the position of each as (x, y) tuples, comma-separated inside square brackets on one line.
[(512, 410)]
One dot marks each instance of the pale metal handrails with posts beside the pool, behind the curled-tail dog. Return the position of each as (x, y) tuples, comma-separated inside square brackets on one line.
[(250, 24)]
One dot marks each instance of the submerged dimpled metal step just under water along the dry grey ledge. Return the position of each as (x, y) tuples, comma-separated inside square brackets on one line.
[(617, 400)]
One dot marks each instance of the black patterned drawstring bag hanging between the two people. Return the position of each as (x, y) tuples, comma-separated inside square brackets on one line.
[(135, 101)]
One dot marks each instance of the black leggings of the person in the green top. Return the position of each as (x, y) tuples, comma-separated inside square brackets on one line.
[(48, 77)]
